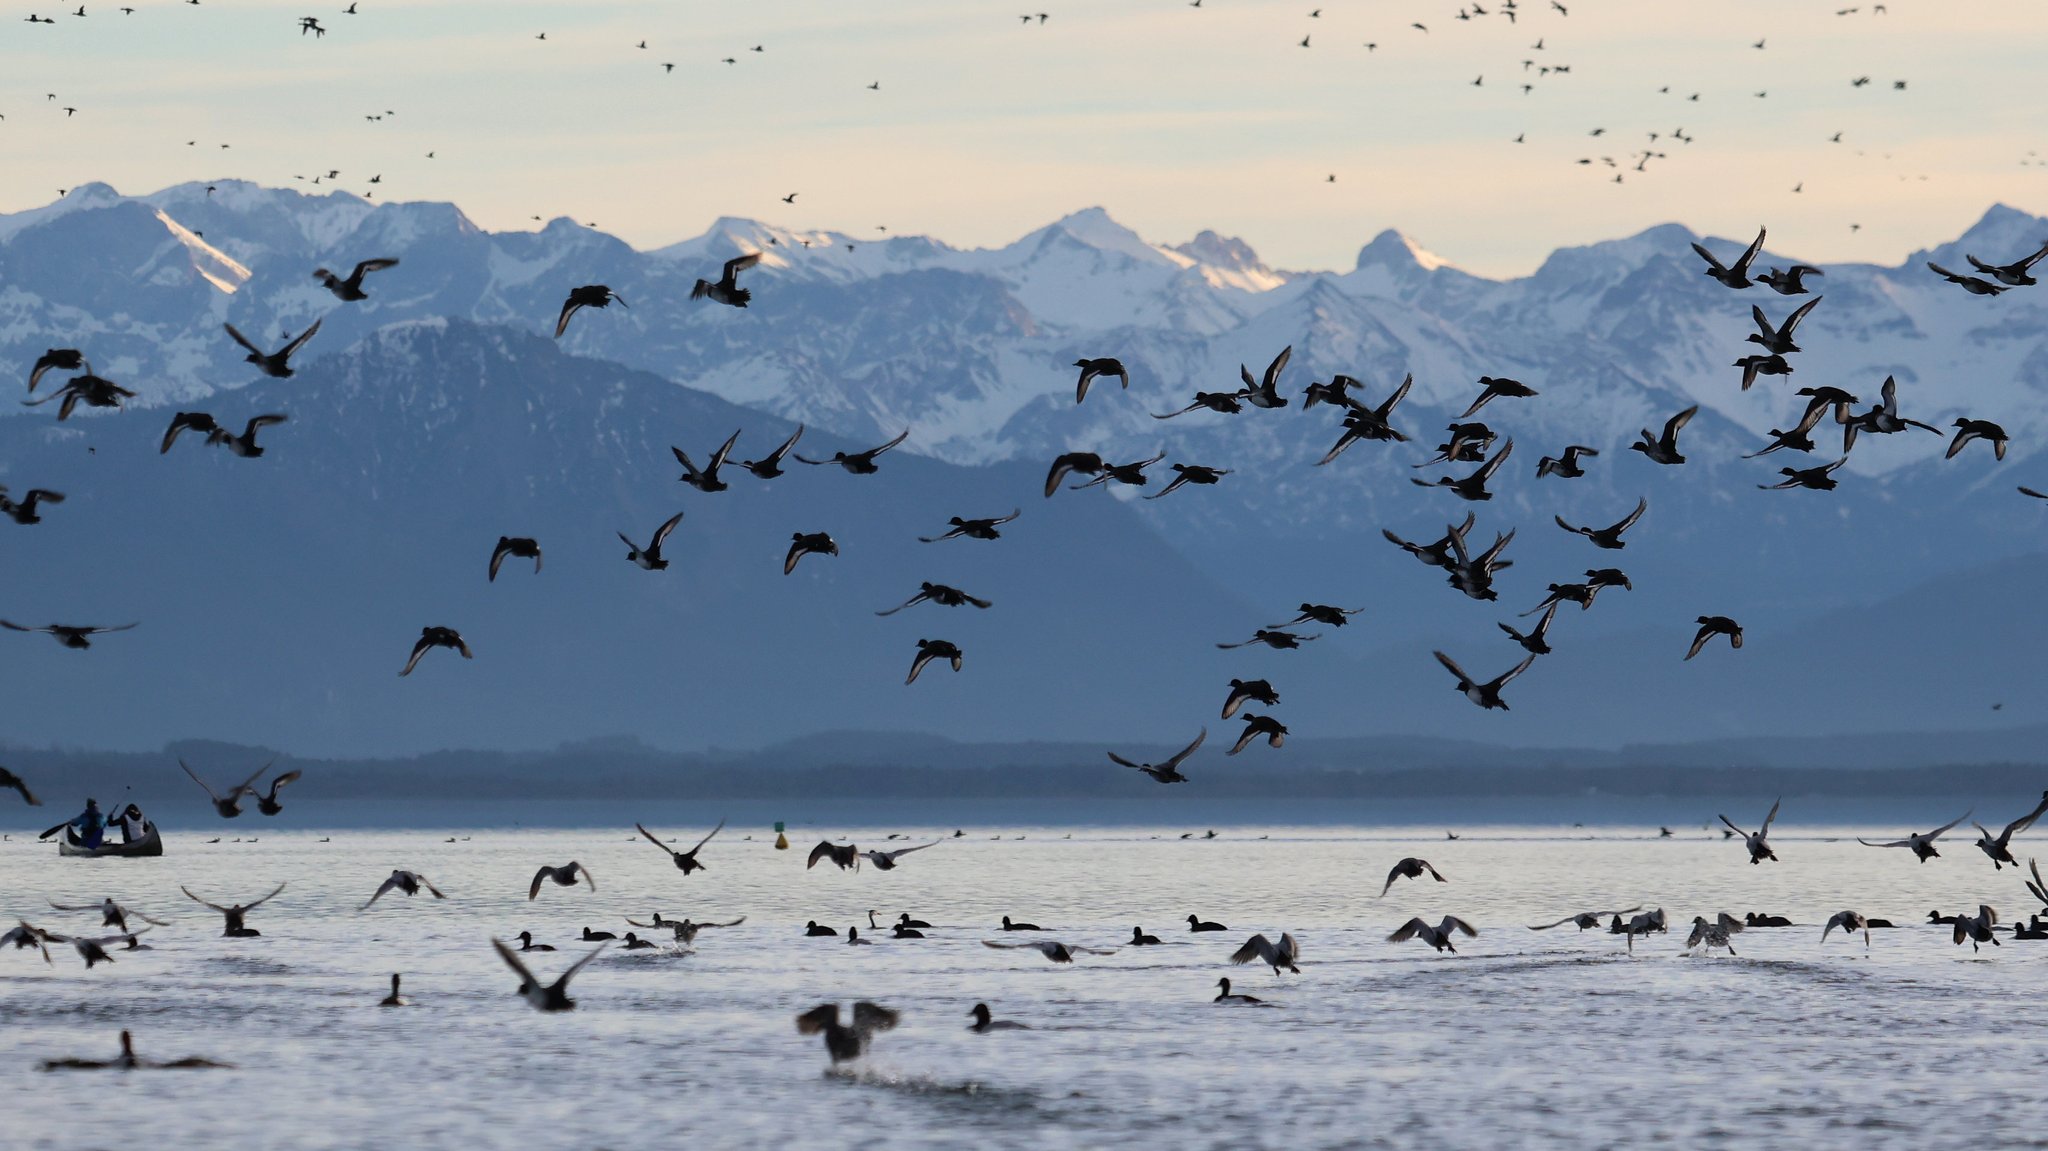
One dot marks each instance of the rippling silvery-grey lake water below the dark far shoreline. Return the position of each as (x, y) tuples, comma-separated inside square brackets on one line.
[(1525, 1039)]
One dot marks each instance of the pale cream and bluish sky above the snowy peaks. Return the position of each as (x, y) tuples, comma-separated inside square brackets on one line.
[(1168, 116)]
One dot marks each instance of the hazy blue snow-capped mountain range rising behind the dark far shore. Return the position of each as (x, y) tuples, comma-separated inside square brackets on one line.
[(282, 595)]
